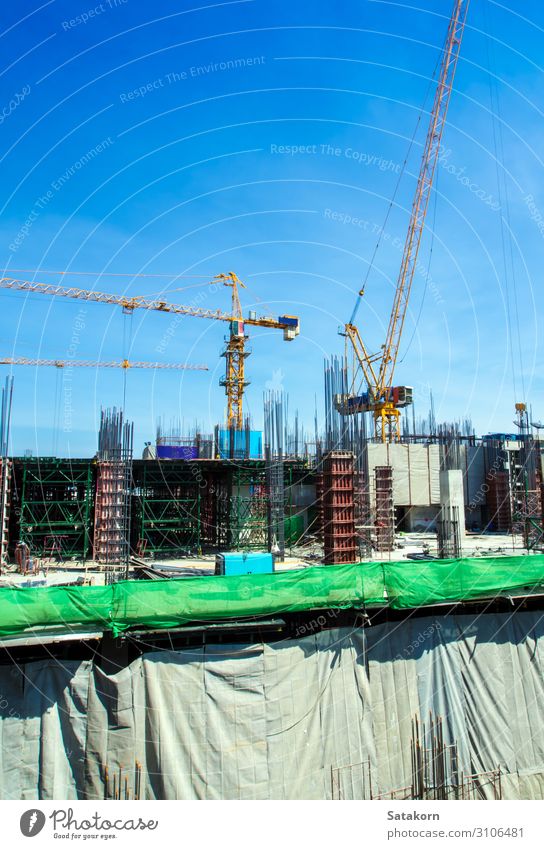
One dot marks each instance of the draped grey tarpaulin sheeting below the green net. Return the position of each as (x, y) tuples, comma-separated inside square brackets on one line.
[(324, 716)]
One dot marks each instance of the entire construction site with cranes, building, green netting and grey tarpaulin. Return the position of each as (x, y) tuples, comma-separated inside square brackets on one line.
[(344, 603)]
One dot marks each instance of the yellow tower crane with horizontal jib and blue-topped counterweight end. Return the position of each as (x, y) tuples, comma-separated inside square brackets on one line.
[(235, 353)]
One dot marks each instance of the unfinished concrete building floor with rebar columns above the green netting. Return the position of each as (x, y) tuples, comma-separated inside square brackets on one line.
[(344, 493)]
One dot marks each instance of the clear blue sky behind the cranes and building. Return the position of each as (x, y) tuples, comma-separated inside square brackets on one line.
[(266, 139)]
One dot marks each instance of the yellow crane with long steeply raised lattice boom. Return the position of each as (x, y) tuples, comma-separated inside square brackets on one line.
[(382, 398)]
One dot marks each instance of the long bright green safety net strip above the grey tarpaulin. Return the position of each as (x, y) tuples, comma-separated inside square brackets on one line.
[(171, 603)]
